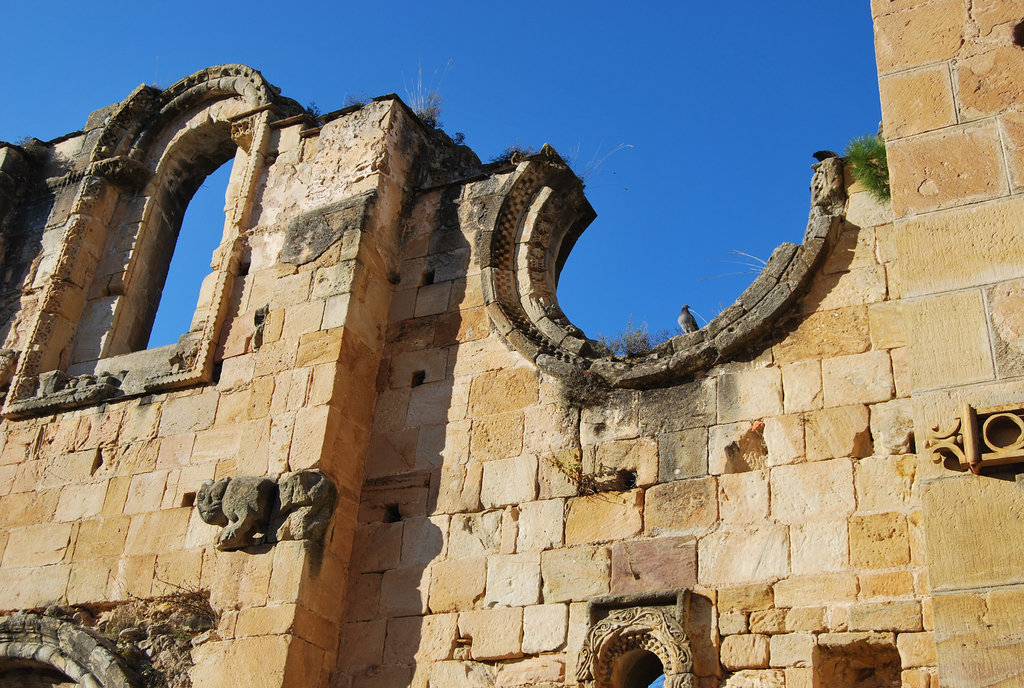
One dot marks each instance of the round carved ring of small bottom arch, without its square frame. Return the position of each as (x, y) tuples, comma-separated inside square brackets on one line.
[(625, 631)]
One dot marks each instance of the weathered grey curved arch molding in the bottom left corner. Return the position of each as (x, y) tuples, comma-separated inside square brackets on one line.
[(86, 658)]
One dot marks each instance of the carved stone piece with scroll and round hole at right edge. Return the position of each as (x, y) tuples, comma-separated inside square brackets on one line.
[(980, 439)]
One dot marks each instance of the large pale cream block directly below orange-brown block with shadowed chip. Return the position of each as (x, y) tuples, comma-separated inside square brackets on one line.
[(820, 491)]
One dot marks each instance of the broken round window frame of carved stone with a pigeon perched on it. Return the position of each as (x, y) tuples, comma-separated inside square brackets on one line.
[(540, 214)]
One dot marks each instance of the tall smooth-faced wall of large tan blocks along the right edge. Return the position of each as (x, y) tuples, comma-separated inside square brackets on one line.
[(952, 78)]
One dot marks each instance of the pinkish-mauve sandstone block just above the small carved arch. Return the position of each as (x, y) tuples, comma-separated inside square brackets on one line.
[(650, 566)]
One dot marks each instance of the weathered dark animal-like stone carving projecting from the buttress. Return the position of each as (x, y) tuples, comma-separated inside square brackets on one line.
[(255, 510)]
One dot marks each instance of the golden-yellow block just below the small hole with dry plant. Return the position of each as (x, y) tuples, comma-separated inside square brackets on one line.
[(605, 517)]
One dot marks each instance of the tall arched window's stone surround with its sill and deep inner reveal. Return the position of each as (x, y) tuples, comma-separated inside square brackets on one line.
[(154, 151)]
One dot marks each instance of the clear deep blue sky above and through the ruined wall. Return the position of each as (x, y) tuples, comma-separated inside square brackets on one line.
[(721, 106)]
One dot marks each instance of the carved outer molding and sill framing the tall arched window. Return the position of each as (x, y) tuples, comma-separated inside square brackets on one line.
[(126, 158)]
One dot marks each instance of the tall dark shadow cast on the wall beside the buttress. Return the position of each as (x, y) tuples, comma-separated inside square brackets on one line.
[(386, 633)]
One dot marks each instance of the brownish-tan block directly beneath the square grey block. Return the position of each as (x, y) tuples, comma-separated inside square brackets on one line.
[(680, 507)]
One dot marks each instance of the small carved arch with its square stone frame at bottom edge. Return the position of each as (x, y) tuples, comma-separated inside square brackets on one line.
[(652, 624)]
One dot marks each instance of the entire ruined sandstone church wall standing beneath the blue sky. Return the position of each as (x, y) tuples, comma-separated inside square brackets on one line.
[(386, 457)]
